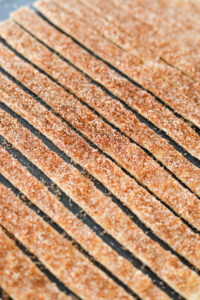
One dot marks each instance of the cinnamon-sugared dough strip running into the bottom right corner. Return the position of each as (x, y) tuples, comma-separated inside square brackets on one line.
[(104, 211)]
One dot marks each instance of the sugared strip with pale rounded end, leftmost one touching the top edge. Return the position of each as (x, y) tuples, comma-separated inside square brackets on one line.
[(125, 62)]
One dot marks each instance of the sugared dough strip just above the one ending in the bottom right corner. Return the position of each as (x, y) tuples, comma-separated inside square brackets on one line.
[(100, 167)]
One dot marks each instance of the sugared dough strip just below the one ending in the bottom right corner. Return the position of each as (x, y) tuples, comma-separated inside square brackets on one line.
[(47, 202)]
